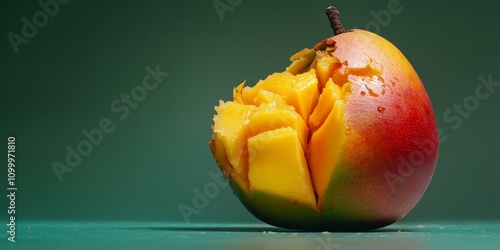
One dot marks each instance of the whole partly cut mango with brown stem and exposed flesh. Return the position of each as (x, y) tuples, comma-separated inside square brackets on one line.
[(344, 139)]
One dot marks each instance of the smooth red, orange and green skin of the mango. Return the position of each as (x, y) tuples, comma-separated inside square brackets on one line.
[(388, 154)]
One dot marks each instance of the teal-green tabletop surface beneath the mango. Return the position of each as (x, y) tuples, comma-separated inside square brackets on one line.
[(149, 235)]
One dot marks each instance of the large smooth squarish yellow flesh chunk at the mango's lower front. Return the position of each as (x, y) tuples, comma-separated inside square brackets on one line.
[(273, 172)]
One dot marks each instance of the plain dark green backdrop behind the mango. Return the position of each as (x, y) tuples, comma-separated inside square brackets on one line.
[(91, 52)]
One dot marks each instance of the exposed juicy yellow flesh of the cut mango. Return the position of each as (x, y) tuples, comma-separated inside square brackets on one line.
[(282, 136)]
